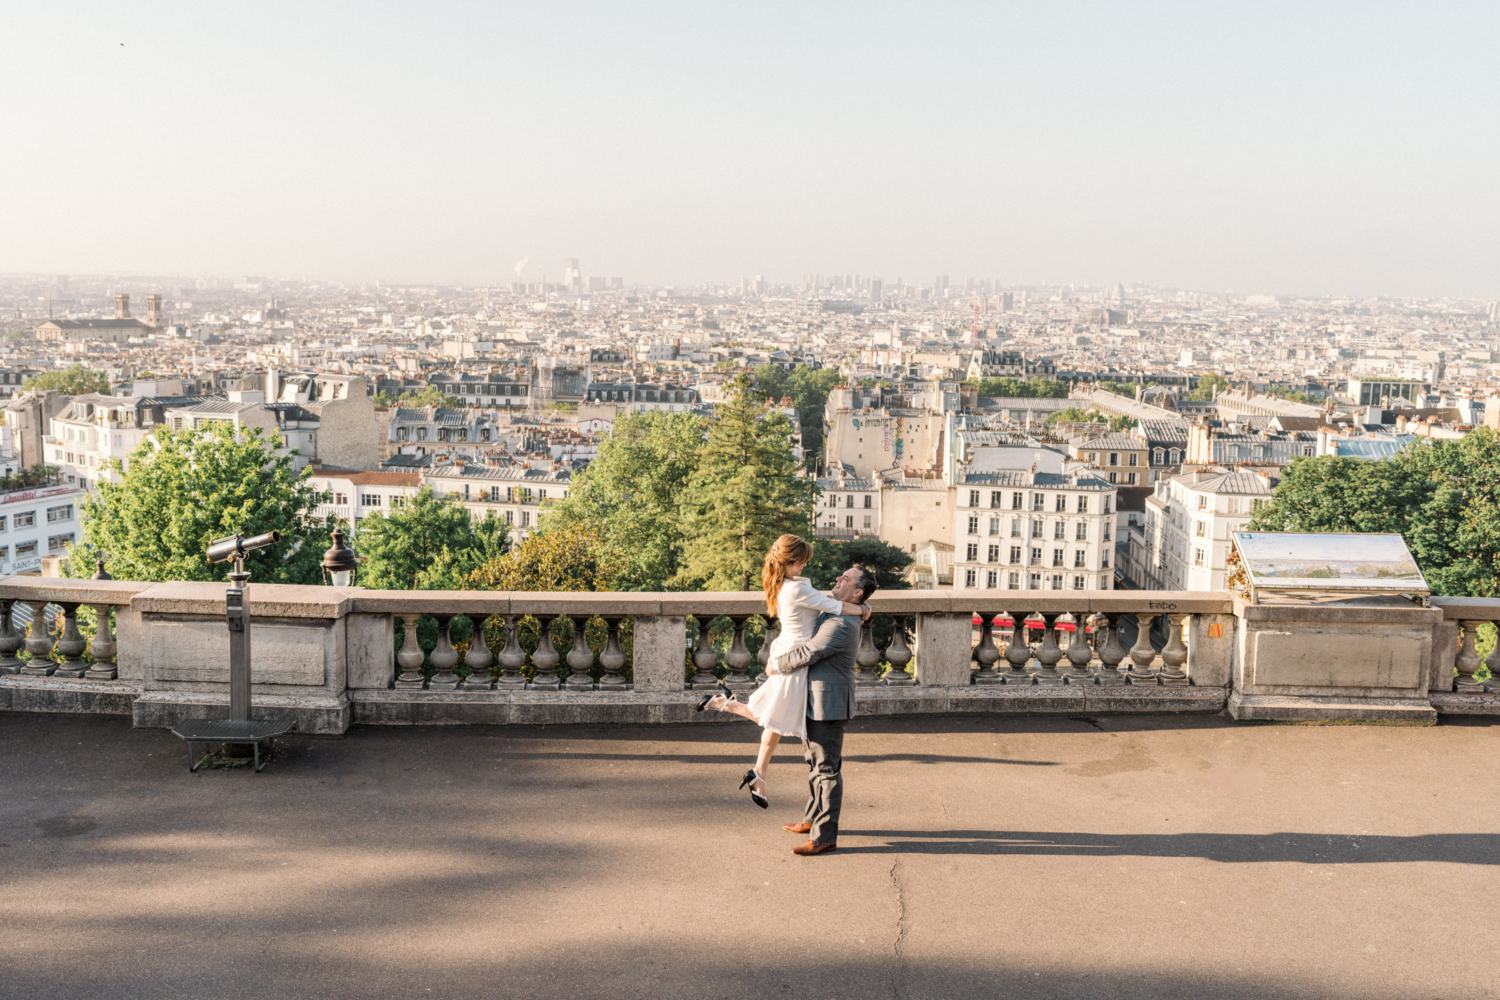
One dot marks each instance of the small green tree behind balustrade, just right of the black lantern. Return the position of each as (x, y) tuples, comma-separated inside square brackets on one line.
[(401, 549)]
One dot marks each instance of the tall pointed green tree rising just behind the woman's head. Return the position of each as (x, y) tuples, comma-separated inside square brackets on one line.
[(743, 497)]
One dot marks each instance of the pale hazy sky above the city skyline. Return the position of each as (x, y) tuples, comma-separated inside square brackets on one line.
[(1261, 148)]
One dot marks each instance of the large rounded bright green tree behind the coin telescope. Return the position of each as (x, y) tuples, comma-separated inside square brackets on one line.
[(185, 490)]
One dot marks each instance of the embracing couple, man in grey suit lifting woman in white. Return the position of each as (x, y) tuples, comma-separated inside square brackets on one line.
[(809, 687)]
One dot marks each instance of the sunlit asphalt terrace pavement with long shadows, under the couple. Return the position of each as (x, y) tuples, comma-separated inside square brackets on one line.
[(1106, 857)]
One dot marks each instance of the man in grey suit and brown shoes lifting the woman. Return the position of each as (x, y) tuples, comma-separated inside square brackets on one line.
[(829, 660)]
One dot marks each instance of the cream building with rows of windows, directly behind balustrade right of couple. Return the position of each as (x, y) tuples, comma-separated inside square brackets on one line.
[(1034, 531)]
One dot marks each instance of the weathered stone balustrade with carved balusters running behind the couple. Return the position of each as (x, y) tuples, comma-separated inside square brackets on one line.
[(331, 657)]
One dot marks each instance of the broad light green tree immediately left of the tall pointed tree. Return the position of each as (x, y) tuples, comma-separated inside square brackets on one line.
[(632, 494)]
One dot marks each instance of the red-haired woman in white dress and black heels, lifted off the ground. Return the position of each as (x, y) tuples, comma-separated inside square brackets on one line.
[(781, 704)]
